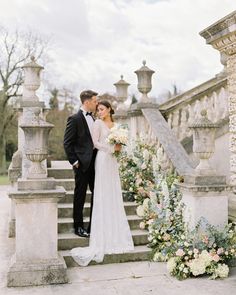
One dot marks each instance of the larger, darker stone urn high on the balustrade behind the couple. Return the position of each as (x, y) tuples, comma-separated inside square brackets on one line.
[(144, 75)]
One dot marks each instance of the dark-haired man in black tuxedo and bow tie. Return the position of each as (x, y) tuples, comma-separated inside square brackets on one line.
[(81, 154)]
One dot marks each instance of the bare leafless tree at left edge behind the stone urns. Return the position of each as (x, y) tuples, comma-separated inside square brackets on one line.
[(15, 50)]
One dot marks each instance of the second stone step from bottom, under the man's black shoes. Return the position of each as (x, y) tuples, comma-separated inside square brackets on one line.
[(67, 241)]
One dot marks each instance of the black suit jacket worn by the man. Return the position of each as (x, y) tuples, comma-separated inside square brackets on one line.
[(78, 142)]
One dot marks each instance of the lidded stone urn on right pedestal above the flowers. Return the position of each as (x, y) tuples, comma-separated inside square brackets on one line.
[(204, 143)]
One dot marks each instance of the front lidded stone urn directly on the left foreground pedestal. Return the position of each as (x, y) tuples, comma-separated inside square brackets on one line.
[(36, 144)]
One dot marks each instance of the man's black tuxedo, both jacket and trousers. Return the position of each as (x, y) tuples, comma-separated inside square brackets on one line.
[(78, 146)]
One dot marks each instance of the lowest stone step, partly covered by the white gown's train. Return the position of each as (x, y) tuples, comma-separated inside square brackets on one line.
[(140, 253)]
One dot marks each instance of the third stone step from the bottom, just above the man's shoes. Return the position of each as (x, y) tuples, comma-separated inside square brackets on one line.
[(65, 225)]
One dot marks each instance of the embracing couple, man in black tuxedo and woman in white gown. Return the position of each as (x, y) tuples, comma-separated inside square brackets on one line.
[(87, 149)]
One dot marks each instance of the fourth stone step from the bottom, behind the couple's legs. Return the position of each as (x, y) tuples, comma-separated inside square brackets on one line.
[(66, 209)]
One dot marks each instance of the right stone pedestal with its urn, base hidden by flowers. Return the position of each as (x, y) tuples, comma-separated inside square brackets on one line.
[(205, 194)]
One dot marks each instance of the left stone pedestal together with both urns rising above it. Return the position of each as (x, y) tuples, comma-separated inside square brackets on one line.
[(36, 260)]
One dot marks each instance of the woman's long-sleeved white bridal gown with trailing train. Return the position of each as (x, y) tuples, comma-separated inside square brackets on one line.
[(110, 232)]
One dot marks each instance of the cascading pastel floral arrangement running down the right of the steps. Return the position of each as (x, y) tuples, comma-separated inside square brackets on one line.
[(205, 250)]
